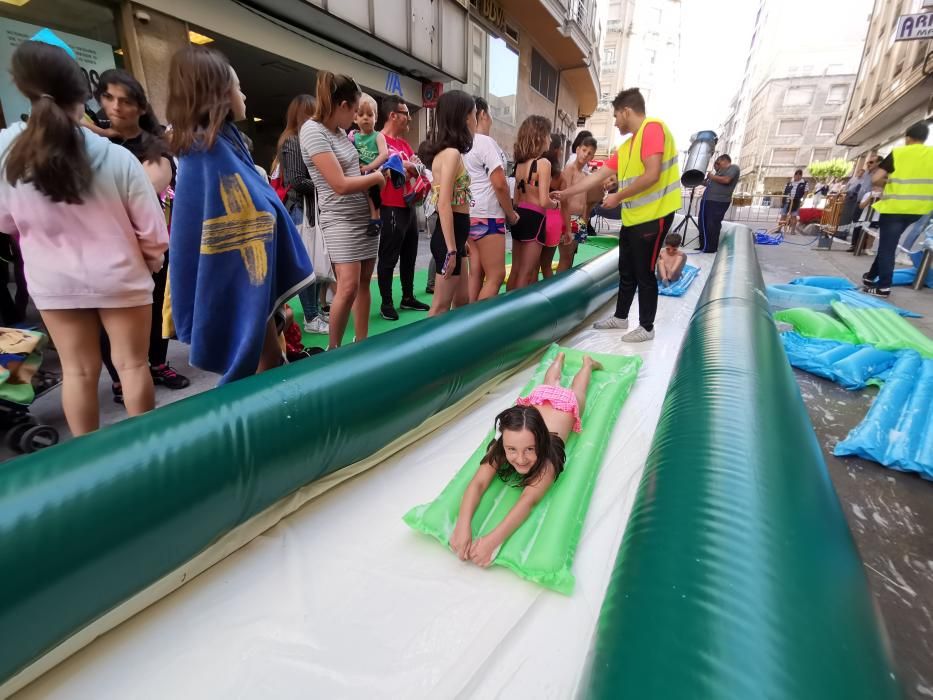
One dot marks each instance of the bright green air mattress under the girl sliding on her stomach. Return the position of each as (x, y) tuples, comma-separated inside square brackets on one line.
[(543, 547)]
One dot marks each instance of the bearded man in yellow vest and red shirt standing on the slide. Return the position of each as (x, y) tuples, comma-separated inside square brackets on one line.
[(649, 191)]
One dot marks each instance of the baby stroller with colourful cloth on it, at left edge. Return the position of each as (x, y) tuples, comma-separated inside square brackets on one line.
[(20, 384)]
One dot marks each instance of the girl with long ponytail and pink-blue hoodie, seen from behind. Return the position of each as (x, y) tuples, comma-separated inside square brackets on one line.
[(91, 231)]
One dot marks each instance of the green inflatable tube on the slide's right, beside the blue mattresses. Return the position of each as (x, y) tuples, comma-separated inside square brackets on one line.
[(737, 576)]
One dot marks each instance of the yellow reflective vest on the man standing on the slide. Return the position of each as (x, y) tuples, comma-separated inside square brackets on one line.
[(663, 197)]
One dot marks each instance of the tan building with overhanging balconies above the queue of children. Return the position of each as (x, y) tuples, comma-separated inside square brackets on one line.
[(533, 57)]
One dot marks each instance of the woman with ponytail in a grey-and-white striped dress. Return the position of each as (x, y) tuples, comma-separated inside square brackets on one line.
[(334, 165)]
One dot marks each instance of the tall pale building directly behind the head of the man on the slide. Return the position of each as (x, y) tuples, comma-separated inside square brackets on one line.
[(641, 48)]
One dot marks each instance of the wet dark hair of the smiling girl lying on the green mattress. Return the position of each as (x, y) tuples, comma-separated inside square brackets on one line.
[(549, 448)]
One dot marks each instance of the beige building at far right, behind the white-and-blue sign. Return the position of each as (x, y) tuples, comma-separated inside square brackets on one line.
[(894, 86)]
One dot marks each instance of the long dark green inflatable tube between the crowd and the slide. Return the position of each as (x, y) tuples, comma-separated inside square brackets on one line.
[(87, 525)]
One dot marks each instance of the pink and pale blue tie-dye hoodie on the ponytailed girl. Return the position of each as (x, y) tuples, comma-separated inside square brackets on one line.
[(95, 255)]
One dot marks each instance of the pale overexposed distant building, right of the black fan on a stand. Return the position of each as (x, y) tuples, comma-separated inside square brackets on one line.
[(810, 50)]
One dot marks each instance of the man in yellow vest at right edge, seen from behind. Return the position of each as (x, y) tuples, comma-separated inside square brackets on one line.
[(907, 175)]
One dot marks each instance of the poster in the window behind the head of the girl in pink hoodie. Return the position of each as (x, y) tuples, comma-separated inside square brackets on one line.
[(94, 57)]
